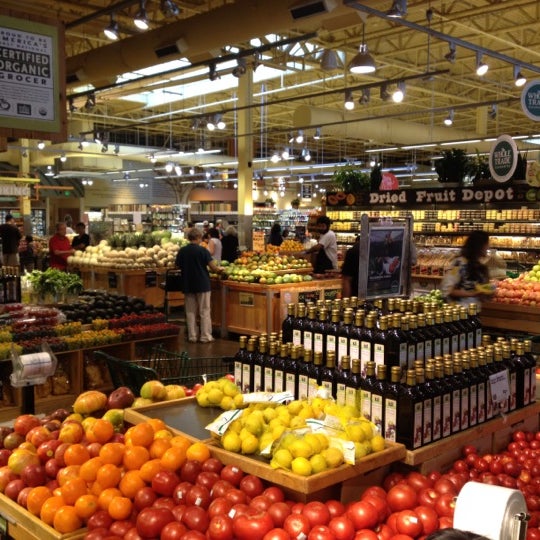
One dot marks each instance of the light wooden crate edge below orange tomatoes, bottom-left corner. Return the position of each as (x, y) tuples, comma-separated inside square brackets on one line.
[(22, 525)]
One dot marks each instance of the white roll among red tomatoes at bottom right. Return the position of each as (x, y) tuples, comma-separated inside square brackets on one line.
[(489, 510)]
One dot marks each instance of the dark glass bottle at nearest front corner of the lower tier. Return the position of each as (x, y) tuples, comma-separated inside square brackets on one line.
[(410, 411)]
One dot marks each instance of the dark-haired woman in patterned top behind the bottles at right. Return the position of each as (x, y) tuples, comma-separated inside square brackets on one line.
[(467, 271)]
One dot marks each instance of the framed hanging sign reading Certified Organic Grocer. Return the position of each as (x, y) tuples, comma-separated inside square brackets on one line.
[(29, 85)]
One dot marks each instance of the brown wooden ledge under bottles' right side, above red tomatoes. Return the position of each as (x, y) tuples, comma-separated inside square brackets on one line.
[(489, 437)]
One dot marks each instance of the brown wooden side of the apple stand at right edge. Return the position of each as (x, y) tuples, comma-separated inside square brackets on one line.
[(510, 317)]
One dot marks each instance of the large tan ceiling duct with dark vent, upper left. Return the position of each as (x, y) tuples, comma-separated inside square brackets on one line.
[(197, 38)]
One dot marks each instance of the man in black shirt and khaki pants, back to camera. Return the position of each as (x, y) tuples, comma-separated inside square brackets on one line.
[(193, 260)]
